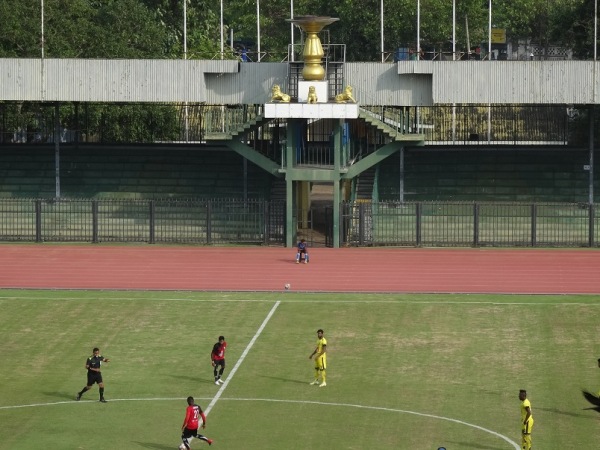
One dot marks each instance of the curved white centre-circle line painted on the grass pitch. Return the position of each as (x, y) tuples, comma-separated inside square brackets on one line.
[(348, 405)]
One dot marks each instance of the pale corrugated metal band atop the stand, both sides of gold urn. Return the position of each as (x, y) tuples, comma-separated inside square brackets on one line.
[(406, 83)]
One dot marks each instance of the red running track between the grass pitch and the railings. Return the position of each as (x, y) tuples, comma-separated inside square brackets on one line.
[(269, 269)]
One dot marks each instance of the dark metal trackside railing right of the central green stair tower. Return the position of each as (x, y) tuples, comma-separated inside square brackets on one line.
[(452, 224)]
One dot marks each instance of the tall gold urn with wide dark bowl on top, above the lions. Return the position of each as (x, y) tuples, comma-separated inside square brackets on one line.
[(313, 50)]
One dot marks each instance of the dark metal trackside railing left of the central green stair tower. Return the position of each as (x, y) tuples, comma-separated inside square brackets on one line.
[(216, 221)]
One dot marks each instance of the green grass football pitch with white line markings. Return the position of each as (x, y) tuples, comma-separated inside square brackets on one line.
[(411, 372)]
